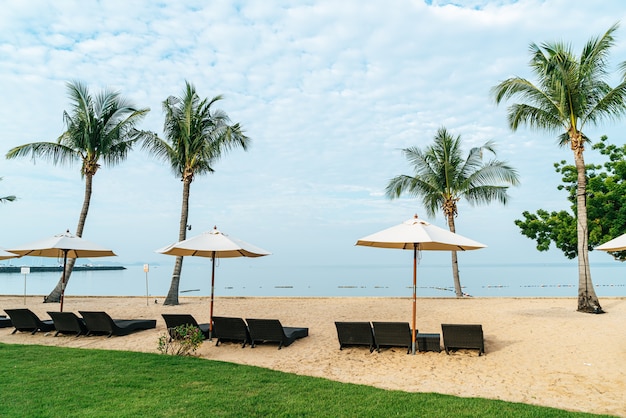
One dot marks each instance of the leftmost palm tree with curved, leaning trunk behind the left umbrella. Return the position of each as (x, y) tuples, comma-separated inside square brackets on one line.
[(100, 128)]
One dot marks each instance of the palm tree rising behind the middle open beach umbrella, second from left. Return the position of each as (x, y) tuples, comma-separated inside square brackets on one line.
[(196, 137)]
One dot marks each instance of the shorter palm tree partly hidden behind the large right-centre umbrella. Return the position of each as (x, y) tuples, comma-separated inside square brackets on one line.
[(443, 177)]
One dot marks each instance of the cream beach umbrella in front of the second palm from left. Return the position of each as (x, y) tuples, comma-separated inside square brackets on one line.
[(213, 244)]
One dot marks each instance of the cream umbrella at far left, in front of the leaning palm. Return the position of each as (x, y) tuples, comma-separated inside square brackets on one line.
[(63, 246)]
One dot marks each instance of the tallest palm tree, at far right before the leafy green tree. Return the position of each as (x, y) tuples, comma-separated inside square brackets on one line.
[(572, 92)]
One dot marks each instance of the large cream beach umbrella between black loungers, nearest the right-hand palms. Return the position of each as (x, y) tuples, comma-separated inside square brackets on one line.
[(418, 235)]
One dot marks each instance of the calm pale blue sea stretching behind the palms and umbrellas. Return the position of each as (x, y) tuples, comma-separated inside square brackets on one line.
[(319, 280)]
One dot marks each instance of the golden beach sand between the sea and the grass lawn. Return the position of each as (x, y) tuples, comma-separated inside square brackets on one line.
[(538, 350)]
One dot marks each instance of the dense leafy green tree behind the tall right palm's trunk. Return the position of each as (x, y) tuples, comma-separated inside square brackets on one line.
[(606, 206)]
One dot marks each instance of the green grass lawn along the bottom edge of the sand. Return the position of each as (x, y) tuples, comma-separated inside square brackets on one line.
[(46, 381)]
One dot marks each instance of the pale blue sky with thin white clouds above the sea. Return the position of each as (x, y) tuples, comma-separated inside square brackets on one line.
[(329, 93)]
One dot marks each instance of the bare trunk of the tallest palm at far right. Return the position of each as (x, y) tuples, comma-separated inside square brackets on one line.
[(587, 299)]
